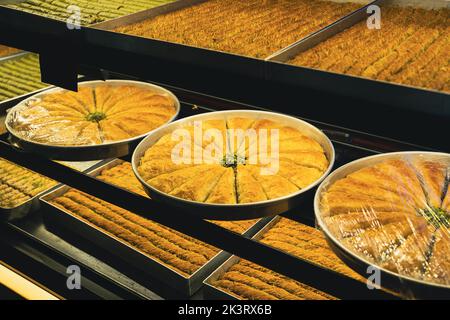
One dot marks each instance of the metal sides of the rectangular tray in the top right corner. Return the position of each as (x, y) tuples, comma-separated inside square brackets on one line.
[(402, 96)]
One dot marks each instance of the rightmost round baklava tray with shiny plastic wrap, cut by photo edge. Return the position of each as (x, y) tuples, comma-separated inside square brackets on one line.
[(388, 217)]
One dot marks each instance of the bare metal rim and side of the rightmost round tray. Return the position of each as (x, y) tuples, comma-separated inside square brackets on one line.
[(406, 286)]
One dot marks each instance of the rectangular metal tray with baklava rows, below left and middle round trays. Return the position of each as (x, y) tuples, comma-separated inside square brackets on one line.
[(179, 261)]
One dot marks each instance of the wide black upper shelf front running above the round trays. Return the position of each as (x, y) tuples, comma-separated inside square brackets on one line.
[(344, 100)]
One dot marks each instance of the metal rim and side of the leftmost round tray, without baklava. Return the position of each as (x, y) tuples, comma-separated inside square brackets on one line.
[(114, 149)]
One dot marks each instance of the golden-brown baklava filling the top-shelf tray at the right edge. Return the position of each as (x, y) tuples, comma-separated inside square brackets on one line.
[(410, 48)]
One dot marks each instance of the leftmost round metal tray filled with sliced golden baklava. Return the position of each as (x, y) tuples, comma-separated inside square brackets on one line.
[(104, 119)]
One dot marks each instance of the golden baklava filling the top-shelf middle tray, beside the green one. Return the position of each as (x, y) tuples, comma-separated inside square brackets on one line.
[(255, 28)]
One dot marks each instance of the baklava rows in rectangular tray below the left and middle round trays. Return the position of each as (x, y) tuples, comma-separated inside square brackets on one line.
[(180, 252)]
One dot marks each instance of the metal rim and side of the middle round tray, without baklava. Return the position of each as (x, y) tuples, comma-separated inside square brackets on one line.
[(235, 211)]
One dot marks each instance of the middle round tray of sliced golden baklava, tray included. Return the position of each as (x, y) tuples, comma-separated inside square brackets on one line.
[(234, 165)]
